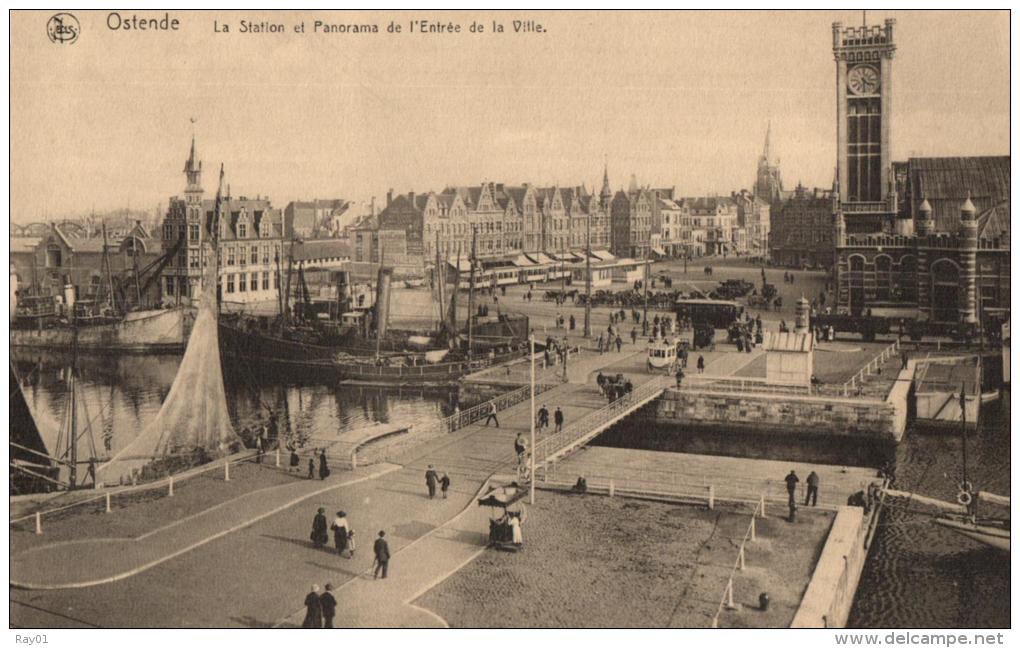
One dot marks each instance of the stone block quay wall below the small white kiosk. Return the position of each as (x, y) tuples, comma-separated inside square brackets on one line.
[(770, 414)]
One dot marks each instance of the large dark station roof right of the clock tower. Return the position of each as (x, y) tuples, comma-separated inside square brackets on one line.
[(946, 182)]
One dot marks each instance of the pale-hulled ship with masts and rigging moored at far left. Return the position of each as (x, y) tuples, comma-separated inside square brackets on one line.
[(114, 320)]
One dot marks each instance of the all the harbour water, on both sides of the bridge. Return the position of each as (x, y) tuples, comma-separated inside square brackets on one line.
[(919, 575)]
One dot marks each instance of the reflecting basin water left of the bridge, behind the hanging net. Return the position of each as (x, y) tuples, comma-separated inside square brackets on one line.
[(120, 395)]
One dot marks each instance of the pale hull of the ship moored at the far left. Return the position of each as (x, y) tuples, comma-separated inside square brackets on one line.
[(139, 332)]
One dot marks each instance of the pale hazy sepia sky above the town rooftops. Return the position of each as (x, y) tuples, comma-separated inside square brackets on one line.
[(676, 98)]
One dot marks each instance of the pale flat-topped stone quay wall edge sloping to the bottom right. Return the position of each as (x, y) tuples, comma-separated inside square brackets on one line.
[(831, 592)]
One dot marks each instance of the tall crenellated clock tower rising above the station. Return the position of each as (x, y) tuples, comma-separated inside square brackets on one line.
[(864, 83)]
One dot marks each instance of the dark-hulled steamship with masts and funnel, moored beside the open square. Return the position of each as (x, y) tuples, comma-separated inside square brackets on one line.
[(345, 340)]
